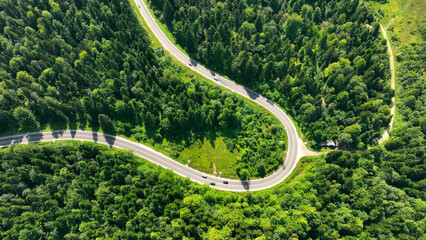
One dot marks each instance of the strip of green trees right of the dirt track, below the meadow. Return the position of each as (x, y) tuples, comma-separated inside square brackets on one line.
[(407, 143)]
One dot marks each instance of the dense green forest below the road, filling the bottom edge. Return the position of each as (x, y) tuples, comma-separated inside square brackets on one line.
[(85, 191)]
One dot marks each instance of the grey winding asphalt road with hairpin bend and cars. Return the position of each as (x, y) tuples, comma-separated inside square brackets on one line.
[(296, 148)]
